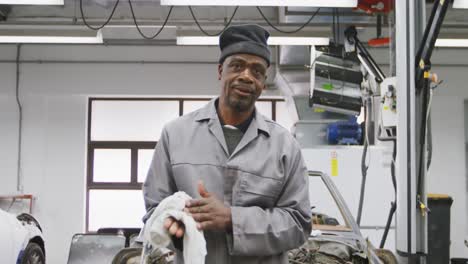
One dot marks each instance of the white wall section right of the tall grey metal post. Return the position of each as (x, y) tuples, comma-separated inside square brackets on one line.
[(448, 172)]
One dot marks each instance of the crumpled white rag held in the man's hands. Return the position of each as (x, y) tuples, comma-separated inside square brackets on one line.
[(154, 232)]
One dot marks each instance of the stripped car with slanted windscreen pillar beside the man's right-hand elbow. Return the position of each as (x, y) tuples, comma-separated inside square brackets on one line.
[(335, 237)]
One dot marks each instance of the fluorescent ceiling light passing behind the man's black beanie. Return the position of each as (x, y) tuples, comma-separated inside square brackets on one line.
[(273, 40)]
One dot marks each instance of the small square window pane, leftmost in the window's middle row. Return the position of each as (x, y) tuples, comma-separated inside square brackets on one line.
[(112, 165)]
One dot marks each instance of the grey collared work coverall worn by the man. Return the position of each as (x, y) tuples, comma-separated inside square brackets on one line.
[(264, 181)]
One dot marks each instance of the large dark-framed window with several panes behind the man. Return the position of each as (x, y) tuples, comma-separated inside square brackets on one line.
[(122, 133)]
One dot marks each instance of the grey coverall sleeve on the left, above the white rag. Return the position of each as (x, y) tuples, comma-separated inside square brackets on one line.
[(159, 182)]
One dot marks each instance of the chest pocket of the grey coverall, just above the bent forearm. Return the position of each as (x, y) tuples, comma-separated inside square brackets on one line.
[(254, 190)]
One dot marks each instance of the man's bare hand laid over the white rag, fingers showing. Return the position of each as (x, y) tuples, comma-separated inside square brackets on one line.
[(209, 212)]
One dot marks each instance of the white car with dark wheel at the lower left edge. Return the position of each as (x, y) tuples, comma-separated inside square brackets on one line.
[(21, 239)]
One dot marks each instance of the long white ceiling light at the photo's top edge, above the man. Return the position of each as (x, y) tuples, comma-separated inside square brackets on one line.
[(308, 3)]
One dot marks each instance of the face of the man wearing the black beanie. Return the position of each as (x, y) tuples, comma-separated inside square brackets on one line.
[(243, 79)]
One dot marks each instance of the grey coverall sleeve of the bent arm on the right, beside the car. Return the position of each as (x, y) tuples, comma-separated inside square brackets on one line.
[(261, 232)]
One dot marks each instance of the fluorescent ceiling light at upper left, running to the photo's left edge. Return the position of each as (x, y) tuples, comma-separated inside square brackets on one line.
[(53, 36)]
